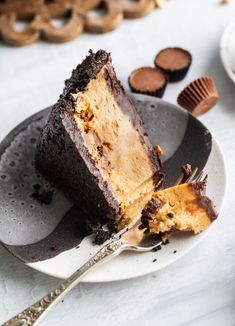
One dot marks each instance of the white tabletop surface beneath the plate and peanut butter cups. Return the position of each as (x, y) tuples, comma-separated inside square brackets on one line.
[(199, 289)]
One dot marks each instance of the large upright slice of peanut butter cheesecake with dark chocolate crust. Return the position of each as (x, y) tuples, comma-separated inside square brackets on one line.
[(94, 146)]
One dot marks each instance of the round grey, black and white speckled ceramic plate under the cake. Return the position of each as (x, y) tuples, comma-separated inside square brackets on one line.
[(50, 239)]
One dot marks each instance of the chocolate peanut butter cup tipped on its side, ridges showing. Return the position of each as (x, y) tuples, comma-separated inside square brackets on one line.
[(199, 96)]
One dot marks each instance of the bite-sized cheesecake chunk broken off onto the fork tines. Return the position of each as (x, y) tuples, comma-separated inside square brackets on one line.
[(182, 208)]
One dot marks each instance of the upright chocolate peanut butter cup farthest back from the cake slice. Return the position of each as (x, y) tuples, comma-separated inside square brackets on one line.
[(174, 62)]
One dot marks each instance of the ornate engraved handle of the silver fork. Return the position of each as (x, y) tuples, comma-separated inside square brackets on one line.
[(33, 314)]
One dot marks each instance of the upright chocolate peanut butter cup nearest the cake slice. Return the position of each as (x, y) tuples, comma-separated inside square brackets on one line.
[(148, 81)]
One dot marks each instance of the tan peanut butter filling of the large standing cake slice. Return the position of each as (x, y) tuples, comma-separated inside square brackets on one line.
[(114, 144)]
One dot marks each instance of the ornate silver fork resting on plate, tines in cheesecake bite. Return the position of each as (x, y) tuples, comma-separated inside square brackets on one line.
[(134, 239)]
